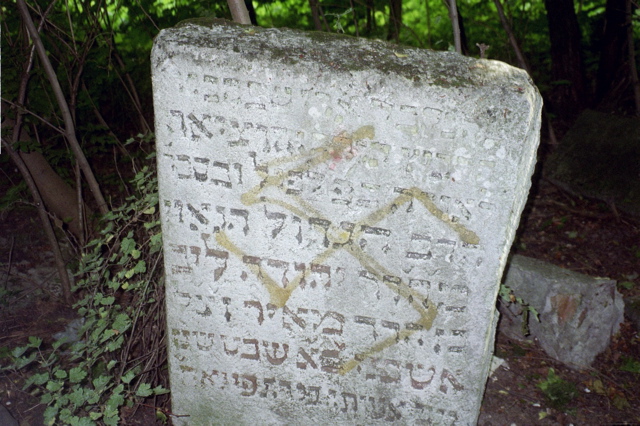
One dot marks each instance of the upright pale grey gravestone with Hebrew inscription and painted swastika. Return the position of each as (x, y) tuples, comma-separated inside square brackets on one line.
[(336, 216)]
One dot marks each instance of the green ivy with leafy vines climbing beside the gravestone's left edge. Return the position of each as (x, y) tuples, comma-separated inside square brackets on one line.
[(115, 357)]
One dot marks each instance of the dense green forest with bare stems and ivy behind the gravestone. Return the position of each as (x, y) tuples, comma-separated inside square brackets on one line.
[(77, 139)]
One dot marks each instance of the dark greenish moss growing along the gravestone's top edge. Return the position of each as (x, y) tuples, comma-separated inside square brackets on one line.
[(342, 53)]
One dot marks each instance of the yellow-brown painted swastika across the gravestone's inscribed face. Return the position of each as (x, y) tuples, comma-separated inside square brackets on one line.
[(279, 296)]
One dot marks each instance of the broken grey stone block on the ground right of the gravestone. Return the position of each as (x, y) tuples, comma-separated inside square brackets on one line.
[(578, 313)]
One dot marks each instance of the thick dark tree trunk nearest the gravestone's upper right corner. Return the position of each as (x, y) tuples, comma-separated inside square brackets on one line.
[(567, 69)]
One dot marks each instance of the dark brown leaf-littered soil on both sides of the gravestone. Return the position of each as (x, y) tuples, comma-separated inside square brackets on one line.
[(580, 234)]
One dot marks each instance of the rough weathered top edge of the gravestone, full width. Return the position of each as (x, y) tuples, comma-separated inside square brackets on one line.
[(343, 53)]
